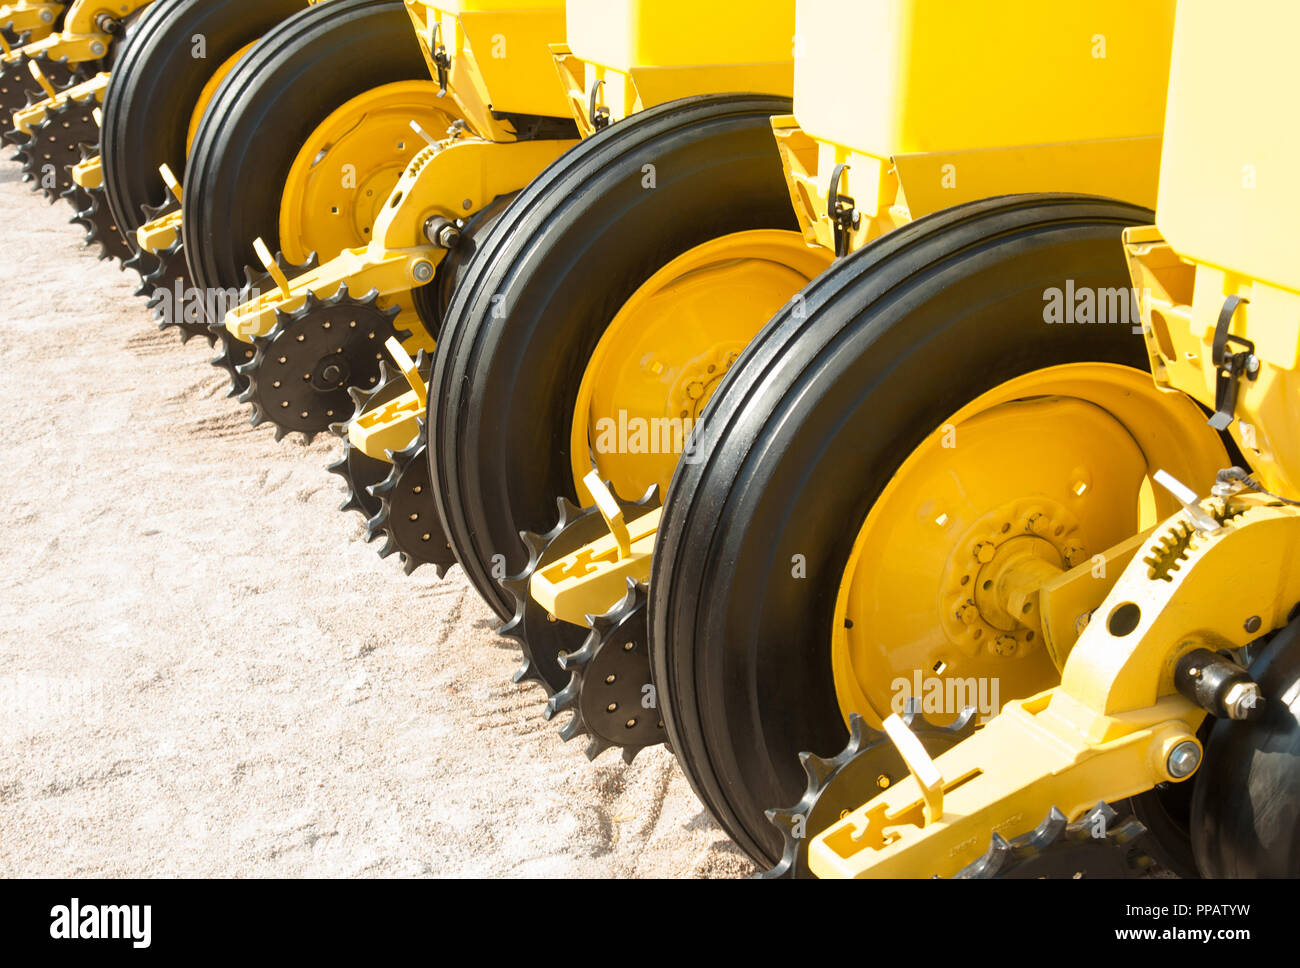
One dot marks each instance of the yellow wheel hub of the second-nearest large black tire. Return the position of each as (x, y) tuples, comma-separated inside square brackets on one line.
[(670, 346)]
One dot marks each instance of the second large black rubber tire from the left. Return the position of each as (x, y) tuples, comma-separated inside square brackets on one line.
[(266, 111)]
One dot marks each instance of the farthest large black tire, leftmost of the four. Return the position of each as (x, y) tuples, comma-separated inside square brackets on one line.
[(157, 85)]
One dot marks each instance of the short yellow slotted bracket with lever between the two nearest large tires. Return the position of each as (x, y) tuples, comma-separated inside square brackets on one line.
[(596, 576)]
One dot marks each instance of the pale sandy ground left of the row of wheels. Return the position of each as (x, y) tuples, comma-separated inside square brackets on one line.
[(206, 672)]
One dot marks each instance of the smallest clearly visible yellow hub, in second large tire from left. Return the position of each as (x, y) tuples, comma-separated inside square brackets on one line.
[(349, 167)]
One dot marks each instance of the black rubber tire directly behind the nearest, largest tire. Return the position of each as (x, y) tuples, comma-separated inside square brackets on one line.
[(566, 255)]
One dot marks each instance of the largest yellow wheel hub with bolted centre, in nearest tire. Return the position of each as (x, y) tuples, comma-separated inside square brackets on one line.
[(1032, 480)]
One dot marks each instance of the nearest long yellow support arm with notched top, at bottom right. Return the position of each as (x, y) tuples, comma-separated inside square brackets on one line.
[(1111, 730)]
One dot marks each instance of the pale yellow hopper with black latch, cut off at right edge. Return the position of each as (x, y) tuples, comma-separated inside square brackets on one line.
[(1228, 205)]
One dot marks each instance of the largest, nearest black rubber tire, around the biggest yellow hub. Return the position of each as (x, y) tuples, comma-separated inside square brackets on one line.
[(803, 436)]
